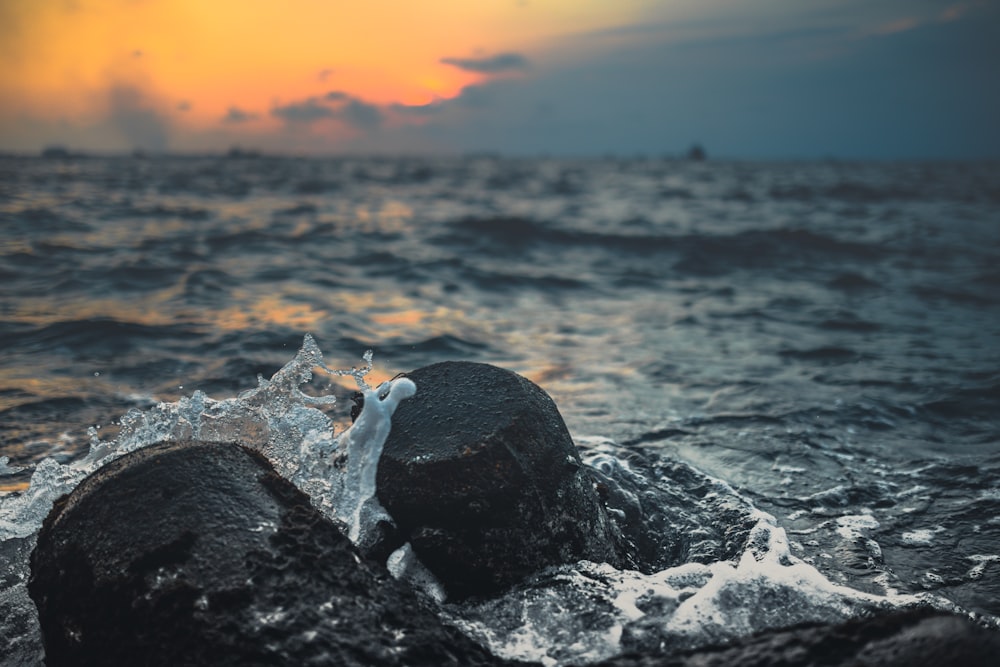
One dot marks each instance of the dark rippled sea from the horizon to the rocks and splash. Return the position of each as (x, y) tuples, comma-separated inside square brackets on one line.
[(823, 337)]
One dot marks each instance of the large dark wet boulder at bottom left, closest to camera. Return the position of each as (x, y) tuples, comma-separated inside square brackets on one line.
[(196, 553)]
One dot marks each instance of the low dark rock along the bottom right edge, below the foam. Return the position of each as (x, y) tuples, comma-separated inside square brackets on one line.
[(921, 638)]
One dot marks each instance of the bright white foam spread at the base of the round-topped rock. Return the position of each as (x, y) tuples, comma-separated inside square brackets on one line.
[(584, 612)]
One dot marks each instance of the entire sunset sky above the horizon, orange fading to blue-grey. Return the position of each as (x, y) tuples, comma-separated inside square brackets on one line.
[(747, 79)]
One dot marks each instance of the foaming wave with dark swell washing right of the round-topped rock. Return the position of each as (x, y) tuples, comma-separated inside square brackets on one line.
[(733, 575)]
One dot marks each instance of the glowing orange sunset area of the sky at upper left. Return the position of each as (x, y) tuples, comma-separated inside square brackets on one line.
[(221, 63)]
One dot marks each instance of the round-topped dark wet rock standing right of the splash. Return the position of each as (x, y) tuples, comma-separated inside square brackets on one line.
[(483, 480)]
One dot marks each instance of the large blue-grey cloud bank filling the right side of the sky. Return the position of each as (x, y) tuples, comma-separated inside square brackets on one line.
[(807, 89)]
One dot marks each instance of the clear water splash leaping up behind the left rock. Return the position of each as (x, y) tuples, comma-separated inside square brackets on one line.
[(276, 417)]
